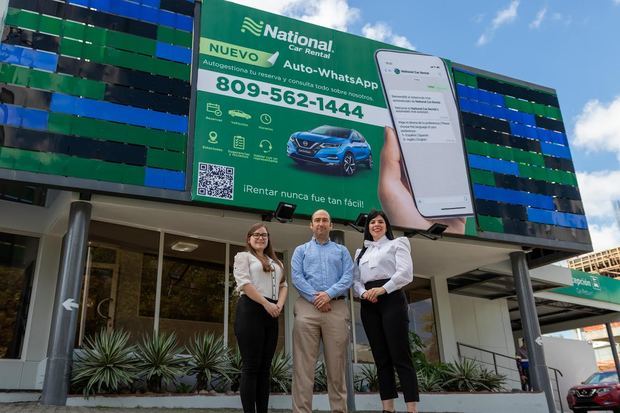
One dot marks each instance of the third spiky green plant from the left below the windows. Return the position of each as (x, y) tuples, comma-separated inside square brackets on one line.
[(208, 358)]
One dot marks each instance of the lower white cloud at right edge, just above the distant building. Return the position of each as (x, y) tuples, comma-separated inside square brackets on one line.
[(598, 189)]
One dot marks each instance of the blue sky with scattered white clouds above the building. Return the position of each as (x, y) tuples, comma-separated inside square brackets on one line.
[(572, 46)]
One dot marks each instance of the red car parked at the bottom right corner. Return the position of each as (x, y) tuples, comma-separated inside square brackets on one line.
[(601, 391)]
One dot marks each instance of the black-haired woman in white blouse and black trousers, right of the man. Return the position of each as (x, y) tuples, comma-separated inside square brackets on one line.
[(384, 267)]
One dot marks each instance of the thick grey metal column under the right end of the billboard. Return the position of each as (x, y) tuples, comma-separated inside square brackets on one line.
[(539, 374)]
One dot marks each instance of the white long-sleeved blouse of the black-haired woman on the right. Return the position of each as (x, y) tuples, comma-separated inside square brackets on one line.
[(384, 259)]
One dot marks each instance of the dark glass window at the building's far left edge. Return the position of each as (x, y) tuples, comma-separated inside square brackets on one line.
[(17, 264)]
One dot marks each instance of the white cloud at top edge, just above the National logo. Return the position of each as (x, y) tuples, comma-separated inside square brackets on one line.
[(336, 14)]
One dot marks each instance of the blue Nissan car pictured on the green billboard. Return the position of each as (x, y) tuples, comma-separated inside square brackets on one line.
[(331, 146)]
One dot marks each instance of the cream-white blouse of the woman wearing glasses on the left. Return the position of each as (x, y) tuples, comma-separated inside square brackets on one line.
[(249, 270)]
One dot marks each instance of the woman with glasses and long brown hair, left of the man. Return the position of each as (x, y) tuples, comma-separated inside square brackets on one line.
[(262, 288)]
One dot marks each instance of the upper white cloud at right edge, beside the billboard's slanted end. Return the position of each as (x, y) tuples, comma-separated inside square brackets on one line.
[(598, 127)]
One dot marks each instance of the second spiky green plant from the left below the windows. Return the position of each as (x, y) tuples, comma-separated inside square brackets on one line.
[(159, 361)]
